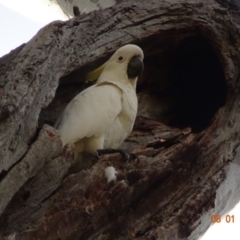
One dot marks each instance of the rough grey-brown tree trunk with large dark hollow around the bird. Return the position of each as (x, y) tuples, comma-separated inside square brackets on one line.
[(186, 134)]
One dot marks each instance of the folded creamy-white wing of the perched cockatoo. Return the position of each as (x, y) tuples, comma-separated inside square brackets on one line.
[(90, 113)]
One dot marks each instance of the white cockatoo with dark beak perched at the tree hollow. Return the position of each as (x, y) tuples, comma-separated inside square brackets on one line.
[(102, 116)]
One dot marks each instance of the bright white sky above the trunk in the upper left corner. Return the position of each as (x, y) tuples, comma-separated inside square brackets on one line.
[(16, 28)]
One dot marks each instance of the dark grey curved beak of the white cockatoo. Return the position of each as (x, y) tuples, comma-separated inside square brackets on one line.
[(135, 67)]
